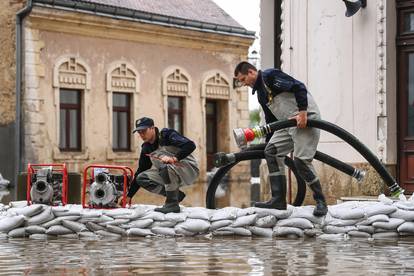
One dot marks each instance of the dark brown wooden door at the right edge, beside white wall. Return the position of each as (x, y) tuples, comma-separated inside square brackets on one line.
[(405, 92)]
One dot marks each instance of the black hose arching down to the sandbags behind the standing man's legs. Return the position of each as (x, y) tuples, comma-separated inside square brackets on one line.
[(251, 155)]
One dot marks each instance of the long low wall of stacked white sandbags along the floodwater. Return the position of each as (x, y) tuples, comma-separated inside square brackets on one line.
[(380, 219)]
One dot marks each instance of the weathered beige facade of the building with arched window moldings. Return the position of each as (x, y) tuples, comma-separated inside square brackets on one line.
[(97, 45)]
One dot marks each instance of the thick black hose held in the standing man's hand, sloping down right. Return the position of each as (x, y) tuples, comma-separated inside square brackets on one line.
[(347, 137)]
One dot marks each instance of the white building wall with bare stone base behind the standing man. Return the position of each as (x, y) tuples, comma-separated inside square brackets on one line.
[(349, 66)]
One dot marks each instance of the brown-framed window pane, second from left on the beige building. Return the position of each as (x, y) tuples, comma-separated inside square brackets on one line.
[(121, 134)]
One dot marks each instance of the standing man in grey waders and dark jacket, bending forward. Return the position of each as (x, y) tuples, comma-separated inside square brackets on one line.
[(282, 97)]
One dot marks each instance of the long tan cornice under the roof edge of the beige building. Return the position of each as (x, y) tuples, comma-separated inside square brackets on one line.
[(96, 26)]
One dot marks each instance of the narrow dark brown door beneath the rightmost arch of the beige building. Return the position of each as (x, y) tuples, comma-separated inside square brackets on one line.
[(211, 132)]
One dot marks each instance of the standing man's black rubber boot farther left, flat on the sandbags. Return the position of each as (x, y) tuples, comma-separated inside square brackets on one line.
[(278, 200)]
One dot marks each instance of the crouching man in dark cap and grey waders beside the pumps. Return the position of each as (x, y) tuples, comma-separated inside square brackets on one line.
[(165, 164)]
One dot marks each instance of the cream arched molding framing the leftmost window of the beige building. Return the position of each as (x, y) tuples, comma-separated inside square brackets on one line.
[(71, 72)]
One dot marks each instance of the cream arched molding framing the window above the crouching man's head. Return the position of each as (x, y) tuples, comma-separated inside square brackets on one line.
[(176, 81)]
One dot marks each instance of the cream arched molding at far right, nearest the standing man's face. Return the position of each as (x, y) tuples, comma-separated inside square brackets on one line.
[(216, 85)]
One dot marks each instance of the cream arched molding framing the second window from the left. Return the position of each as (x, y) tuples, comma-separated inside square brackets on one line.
[(121, 76)]
